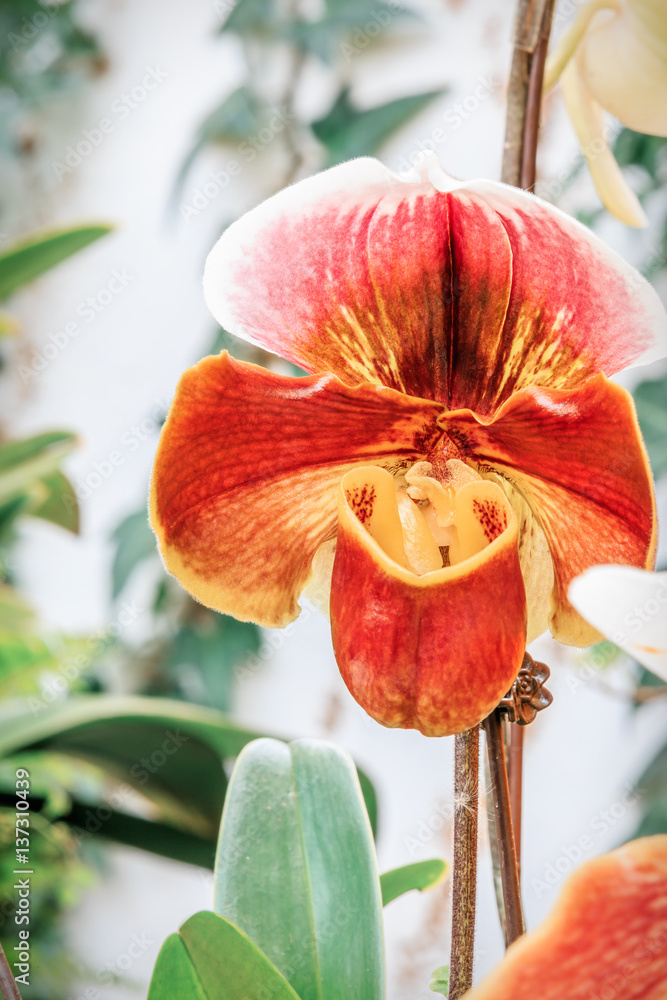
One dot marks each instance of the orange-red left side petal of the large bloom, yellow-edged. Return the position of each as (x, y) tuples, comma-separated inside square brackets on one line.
[(246, 476)]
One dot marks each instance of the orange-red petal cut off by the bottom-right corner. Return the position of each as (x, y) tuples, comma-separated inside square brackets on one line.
[(606, 938)]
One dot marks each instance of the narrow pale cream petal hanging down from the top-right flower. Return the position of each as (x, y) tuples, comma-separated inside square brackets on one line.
[(587, 120)]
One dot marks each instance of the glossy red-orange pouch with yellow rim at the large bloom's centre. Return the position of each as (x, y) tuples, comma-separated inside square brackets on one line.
[(431, 651)]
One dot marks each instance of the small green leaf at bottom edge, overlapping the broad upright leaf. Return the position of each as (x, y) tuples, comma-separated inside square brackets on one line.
[(211, 959)]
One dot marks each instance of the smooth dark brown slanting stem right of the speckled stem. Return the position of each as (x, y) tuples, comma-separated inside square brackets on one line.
[(509, 873)]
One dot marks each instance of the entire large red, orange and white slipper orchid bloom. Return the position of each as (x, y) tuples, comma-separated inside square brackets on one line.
[(459, 454)]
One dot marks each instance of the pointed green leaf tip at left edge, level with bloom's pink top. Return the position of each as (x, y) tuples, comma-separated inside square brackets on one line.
[(41, 251)]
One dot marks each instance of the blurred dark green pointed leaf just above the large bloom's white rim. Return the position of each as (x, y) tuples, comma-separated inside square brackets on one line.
[(347, 132)]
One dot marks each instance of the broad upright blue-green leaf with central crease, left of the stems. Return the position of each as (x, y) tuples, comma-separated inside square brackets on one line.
[(296, 868)]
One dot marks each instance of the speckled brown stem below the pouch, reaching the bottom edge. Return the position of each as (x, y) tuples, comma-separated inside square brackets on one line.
[(464, 887)]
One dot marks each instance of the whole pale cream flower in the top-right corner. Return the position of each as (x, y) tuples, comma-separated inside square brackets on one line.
[(613, 58)]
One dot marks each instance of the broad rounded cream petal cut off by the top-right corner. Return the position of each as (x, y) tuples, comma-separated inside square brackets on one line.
[(623, 62)]
